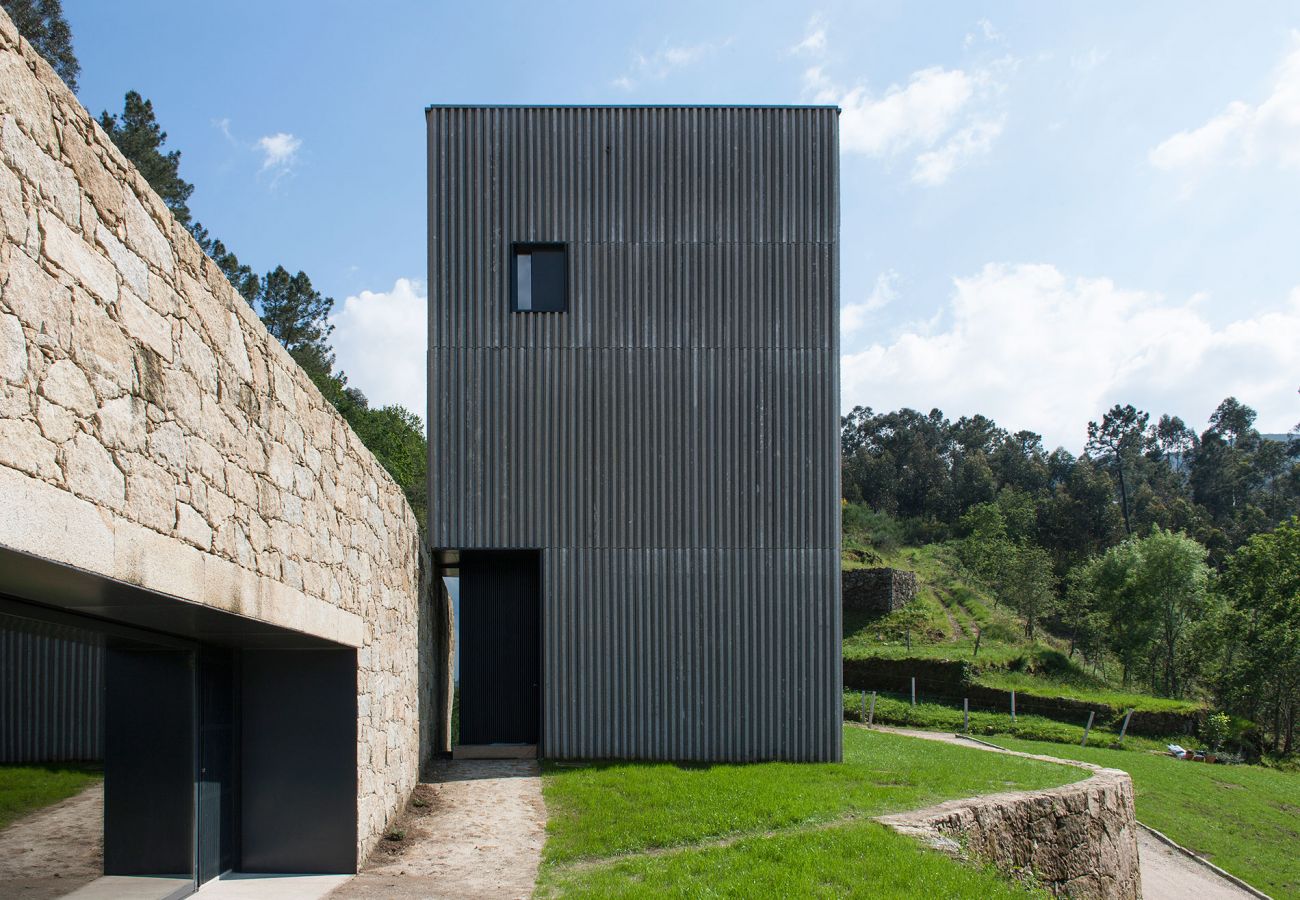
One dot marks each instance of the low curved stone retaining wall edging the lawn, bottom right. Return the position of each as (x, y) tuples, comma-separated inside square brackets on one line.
[(1078, 841)]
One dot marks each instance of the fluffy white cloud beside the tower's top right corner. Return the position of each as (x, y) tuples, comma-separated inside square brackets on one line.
[(941, 115)]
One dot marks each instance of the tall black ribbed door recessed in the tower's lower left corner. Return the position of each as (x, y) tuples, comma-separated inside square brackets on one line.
[(500, 647)]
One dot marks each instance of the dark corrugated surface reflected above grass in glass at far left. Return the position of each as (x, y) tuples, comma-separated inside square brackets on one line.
[(51, 693)]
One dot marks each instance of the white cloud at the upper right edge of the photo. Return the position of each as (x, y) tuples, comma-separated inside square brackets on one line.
[(1245, 135)]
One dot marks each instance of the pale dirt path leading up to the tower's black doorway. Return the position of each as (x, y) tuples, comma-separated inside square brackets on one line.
[(479, 836)]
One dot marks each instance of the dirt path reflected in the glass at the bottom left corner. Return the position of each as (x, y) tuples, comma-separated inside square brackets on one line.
[(57, 850)]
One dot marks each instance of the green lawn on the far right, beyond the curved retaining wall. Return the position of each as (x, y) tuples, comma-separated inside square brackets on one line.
[(1243, 819)]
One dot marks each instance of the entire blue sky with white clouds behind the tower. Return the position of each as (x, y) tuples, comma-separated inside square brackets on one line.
[(1047, 209)]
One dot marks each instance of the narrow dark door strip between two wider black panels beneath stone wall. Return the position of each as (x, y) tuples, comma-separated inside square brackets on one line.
[(218, 794)]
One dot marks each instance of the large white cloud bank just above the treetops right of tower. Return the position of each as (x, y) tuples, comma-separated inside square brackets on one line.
[(1037, 349)]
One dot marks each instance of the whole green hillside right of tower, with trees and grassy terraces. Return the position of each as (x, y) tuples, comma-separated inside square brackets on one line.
[(1159, 572)]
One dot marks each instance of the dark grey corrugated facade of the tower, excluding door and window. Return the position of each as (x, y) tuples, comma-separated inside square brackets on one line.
[(671, 442)]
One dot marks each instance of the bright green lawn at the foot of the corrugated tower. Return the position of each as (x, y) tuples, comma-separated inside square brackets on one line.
[(796, 827)]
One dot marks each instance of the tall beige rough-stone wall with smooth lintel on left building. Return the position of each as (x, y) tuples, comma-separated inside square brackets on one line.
[(153, 431)]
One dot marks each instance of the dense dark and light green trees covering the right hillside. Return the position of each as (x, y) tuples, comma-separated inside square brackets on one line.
[(1175, 553)]
